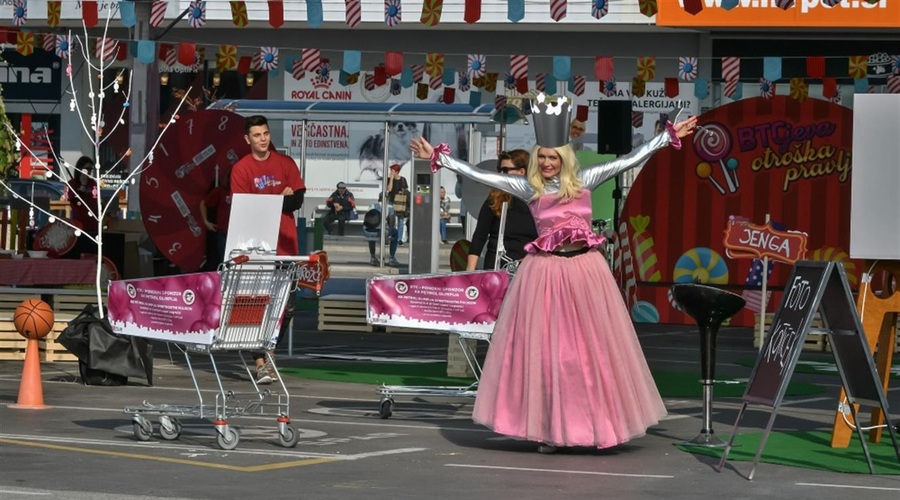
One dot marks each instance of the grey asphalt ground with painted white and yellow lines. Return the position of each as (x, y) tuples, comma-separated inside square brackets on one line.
[(84, 447)]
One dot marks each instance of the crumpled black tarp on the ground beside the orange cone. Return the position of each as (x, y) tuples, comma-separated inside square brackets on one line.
[(98, 349)]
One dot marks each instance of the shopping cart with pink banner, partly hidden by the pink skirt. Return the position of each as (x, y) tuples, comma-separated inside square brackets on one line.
[(465, 303)]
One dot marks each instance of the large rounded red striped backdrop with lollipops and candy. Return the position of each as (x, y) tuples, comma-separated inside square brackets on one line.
[(755, 157)]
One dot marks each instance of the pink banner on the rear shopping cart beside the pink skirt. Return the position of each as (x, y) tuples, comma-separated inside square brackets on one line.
[(459, 302)]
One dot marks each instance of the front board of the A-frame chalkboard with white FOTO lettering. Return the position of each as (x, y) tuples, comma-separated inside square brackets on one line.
[(787, 333)]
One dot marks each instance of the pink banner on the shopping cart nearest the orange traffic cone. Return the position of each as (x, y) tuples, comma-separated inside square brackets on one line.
[(183, 308)]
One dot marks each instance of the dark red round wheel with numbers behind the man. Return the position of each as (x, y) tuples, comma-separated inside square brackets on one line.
[(199, 148)]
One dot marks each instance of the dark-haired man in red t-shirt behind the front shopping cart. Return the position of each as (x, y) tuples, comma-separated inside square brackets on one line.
[(264, 171)]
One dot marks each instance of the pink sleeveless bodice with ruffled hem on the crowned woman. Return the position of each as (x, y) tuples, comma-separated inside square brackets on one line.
[(562, 223)]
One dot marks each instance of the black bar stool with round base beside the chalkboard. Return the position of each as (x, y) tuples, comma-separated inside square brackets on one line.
[(709, 306)]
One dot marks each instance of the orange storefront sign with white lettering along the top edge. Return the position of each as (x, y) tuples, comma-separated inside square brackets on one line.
[(765, 13)]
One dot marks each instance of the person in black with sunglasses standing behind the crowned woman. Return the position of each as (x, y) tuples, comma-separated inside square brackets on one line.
[(519, 229)]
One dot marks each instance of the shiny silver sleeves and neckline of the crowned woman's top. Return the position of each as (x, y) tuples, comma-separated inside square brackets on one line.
[(591, 176)]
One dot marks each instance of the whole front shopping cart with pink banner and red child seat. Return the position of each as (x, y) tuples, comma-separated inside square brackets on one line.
[(253, 293)]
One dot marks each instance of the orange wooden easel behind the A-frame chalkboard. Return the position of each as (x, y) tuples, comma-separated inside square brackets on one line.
[(879, 321)]
